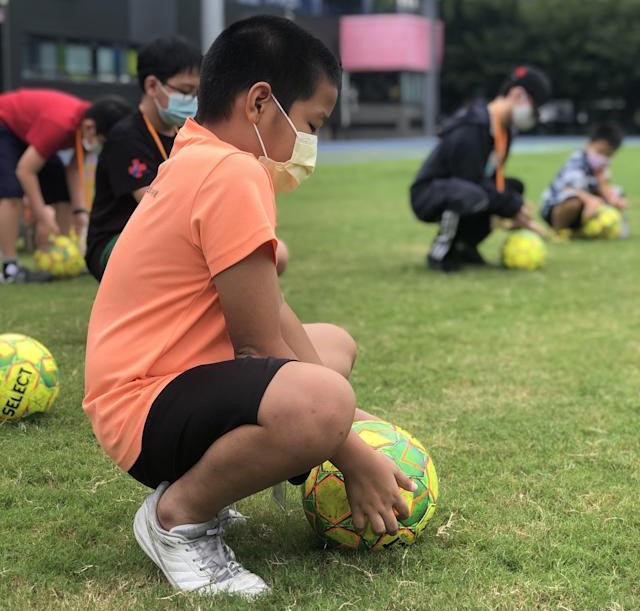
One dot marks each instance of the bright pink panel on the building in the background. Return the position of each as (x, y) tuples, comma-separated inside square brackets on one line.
[(388, 42)]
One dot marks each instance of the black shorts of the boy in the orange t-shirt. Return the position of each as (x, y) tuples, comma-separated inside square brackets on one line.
[(195, 409)]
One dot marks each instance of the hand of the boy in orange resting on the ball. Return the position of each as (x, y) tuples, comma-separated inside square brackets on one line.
[(373, 484)]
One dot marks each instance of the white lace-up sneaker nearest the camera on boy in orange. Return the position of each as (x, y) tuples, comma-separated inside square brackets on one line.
[(193, 556)]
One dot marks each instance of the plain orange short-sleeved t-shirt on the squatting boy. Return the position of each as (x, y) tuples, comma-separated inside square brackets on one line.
[(157, 311)]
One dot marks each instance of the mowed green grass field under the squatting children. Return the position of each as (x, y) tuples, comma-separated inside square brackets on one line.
[(525, 387)]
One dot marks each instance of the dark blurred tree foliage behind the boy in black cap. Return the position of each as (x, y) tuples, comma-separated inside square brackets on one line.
[(591, 50)]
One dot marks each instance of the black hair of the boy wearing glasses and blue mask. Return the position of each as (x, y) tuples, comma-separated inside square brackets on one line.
[(167, 56)]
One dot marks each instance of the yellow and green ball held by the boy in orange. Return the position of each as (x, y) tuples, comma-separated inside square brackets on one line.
[(325, 500)]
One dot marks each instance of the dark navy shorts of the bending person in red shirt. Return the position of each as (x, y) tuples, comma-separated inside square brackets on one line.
[(52, 177)]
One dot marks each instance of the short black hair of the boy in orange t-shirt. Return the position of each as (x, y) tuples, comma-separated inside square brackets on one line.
[(263, 48)]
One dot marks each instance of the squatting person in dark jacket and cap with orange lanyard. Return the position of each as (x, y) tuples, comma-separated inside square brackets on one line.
[(461, 184)]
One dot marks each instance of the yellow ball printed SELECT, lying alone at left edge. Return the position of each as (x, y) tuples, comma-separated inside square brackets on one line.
[(29, 379)]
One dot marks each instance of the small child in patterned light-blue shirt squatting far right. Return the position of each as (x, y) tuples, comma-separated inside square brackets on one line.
[(581, 186)]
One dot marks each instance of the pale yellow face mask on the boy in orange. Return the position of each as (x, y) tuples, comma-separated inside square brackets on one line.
[(287, 175)]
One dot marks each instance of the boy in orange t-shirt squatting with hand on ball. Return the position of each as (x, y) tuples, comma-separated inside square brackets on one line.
[(200, 380)]
